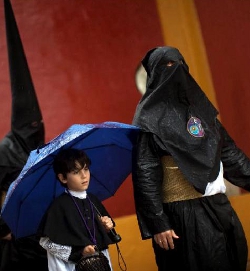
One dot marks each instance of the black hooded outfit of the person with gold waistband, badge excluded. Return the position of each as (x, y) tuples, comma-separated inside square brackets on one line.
[(210, 234)]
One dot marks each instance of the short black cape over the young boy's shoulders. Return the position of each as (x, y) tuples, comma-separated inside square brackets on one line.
[(63, 224)]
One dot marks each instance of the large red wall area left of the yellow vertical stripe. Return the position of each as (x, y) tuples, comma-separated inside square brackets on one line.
[(82, 56)]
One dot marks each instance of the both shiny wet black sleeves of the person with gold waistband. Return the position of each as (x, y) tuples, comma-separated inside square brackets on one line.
[(148, 177)]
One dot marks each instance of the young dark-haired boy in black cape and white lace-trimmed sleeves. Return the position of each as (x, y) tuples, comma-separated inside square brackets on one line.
[(72, 227)]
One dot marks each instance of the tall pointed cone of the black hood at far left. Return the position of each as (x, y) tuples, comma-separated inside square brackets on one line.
[(23, 92)]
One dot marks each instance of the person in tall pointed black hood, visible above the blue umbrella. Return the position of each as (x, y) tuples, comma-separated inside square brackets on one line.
[(27, 129)]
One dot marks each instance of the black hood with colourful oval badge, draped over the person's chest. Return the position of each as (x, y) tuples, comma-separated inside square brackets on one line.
[(181, 117)]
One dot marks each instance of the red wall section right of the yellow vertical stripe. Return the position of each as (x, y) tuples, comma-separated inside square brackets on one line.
[(225, 26)]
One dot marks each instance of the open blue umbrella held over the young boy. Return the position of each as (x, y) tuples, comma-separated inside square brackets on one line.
[(109, 146)]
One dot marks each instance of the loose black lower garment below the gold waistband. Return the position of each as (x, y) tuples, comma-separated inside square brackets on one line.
[(211, 237)]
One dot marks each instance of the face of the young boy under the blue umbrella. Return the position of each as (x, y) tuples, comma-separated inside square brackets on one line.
[(78, 179)]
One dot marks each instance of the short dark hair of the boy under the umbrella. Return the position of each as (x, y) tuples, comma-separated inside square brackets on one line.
[(65, 161)]
